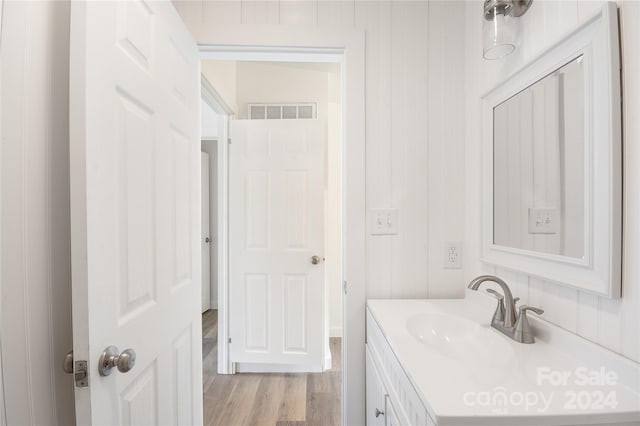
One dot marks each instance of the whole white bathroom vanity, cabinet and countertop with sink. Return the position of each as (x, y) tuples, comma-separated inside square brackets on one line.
[(439, 362)]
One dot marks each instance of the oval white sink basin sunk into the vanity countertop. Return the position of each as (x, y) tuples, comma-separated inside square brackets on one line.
[(457, 337)]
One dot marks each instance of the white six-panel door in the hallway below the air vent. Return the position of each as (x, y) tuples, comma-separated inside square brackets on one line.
[(276, 226)]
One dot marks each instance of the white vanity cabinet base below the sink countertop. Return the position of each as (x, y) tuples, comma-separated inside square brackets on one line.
[(388, 388)]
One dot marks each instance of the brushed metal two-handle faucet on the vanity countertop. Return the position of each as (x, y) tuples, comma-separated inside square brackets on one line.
[(505, 319)]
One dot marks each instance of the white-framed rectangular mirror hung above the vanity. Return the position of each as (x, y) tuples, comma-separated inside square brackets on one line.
[(552, 166)]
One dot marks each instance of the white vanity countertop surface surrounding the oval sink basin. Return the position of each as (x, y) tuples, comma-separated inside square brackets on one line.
[(459, 390)]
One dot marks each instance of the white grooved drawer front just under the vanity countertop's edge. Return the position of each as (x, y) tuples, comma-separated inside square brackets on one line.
[(396, 381)]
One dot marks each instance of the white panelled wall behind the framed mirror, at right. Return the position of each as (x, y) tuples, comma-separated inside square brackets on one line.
[(610, 323)]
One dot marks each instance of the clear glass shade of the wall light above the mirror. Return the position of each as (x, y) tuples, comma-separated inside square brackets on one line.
[(499, 34)]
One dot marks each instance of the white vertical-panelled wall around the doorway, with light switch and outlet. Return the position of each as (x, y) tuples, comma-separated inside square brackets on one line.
[(414, 136)]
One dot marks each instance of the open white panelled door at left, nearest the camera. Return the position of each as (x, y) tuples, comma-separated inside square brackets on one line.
[(135, 226)]
